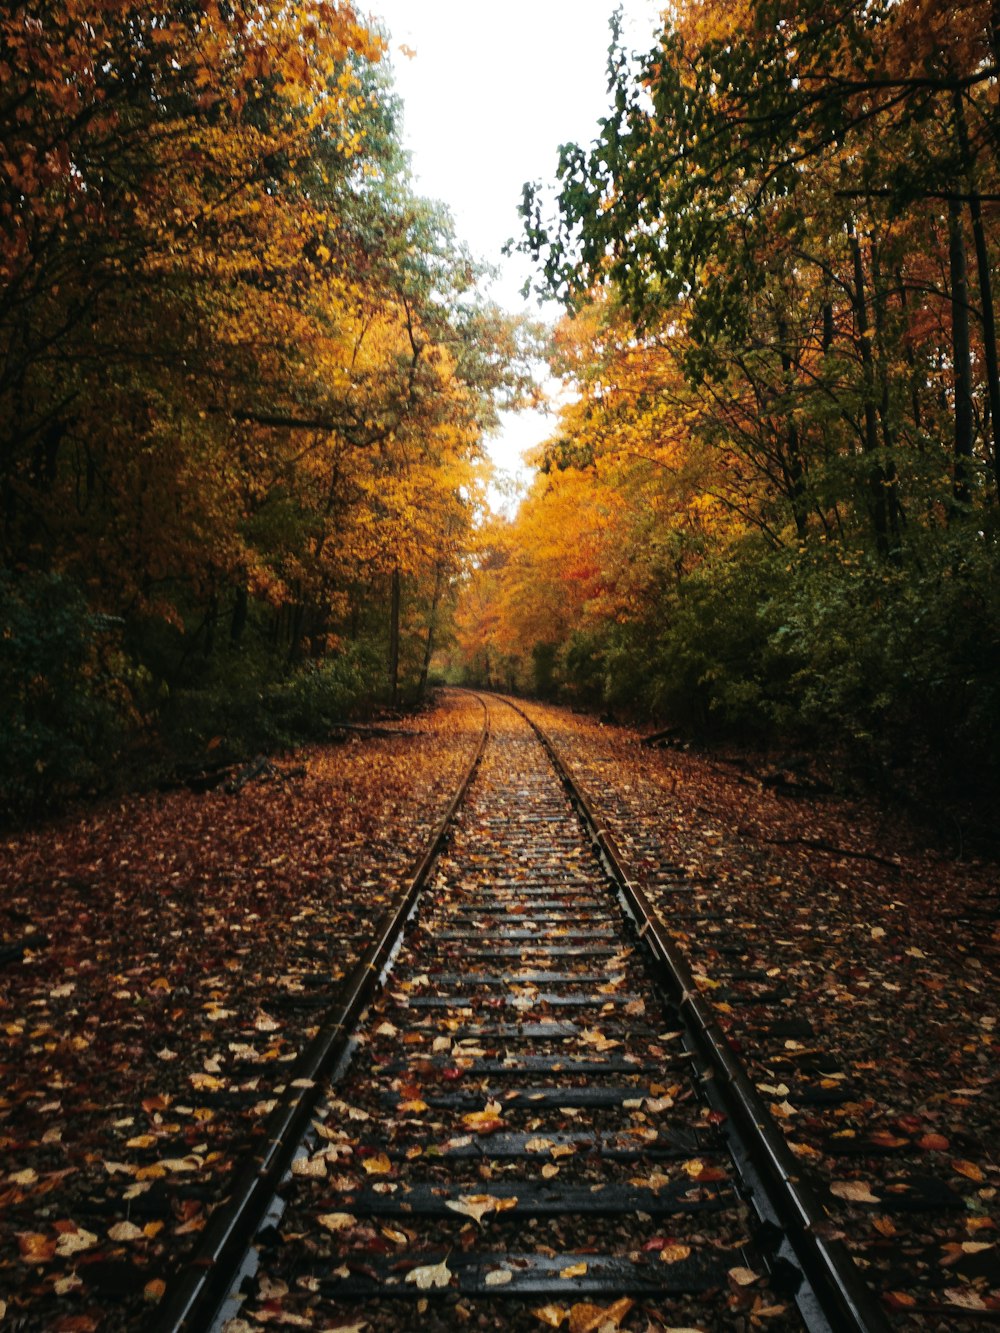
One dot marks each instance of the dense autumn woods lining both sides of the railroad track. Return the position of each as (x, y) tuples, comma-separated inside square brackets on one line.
[(246, 375)]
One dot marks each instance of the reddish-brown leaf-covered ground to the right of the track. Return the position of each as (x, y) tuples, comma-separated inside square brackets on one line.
[(886, 946)]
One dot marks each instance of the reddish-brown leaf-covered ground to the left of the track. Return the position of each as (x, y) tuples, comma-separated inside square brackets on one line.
[(193, 942)]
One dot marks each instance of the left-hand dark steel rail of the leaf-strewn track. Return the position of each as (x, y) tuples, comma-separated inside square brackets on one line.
[(199, 1291)]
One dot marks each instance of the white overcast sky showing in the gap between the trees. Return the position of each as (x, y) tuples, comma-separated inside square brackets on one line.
[(489, 98)]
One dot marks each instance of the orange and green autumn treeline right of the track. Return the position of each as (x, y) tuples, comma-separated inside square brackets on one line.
[(774, 509)]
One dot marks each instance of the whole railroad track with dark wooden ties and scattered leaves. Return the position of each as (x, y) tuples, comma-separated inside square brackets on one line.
[(535, 1115)]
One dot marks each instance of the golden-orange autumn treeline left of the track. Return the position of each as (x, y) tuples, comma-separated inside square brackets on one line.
[(245, 382)]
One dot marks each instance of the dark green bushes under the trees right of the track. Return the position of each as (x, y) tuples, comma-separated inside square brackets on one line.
[(889, 663)]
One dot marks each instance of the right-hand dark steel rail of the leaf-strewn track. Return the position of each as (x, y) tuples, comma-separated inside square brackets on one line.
[(842, 1292)]
